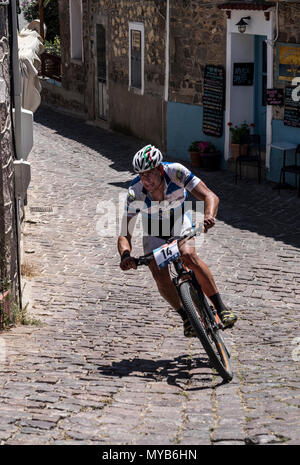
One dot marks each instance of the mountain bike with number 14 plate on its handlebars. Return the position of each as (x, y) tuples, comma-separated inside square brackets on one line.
[(203, 317)]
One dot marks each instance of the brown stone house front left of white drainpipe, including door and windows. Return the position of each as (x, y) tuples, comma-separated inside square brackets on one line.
[(113, 64)]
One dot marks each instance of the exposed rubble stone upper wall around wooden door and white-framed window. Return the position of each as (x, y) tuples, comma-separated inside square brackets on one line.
[(120, 13)]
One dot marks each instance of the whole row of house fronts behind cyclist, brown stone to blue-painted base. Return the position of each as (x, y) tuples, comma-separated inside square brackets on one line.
[(174, 71)]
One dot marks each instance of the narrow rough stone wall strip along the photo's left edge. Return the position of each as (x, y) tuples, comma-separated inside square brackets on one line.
[(8, 237)]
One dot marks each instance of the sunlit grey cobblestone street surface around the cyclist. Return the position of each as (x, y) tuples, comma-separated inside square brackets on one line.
[(109, 363)]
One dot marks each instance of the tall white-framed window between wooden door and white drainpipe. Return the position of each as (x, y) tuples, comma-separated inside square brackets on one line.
[(136, 56)]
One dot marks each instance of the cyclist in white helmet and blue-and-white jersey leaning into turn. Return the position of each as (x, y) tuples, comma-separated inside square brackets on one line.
[(159, 193)]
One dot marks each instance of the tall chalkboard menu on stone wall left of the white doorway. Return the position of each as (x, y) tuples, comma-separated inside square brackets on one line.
[(213, 100)]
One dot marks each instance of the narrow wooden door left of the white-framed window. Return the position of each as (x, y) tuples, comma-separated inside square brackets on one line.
[(102, 95)]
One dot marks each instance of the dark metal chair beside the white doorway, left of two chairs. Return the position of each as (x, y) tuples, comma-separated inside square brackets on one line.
[(253, 154)]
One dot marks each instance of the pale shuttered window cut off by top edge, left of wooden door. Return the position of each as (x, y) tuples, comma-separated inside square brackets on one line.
[(76, 29)]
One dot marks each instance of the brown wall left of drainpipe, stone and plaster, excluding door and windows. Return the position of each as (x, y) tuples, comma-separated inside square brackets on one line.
[(79, 82)]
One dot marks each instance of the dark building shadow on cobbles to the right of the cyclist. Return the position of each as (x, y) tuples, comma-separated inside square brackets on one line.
[(257, 208)]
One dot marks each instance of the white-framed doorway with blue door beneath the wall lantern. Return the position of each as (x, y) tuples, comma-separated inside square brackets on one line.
[(248, 103)]
